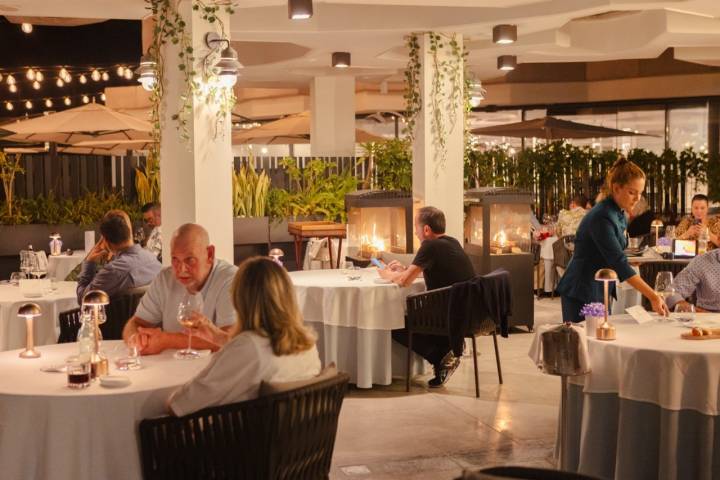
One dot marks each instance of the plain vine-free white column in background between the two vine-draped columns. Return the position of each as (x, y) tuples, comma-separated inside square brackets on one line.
[(332, 114)]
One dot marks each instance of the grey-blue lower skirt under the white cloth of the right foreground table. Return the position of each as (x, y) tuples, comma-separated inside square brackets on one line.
[(614, 438)]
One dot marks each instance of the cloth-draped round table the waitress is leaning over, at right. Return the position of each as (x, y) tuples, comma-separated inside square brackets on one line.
[(650, 408)]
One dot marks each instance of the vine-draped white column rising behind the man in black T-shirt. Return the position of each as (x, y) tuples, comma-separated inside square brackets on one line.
[(438, 172)]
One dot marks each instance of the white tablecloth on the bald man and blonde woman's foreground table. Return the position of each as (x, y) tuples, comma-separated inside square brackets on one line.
[(50, 431)]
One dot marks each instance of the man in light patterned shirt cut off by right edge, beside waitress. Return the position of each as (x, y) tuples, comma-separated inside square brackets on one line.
[(701, 277)]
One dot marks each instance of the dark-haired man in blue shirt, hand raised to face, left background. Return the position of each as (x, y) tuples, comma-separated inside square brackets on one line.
[(130, 265)]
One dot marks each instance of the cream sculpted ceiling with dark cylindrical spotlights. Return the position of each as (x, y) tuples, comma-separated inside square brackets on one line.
[(289, 53)]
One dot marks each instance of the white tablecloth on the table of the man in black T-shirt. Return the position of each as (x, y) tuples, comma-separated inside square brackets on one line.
[(353, 319)]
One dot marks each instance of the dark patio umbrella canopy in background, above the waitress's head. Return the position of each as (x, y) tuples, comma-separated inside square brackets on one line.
[(551, 128)]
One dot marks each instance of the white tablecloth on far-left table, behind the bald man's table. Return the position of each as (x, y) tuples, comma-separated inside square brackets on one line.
[(12, 328)]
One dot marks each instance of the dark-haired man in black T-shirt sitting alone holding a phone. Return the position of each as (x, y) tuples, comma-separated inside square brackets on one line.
[(443, 262)]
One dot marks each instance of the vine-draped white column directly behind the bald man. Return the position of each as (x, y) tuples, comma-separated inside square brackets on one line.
[(196, 176)]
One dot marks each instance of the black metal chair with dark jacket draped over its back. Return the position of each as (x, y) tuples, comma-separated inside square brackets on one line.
[(427, 313)]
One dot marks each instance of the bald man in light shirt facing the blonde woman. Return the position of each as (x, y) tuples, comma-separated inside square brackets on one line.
[(194, 269)]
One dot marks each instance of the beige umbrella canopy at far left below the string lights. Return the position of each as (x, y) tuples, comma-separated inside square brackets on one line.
[(88, 122)]
